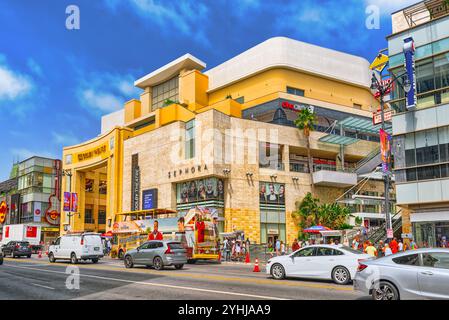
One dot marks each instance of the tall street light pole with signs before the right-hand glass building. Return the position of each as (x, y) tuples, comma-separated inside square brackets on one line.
[(383, 89)]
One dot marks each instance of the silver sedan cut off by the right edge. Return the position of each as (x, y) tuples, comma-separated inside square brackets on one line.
[(415, 274)]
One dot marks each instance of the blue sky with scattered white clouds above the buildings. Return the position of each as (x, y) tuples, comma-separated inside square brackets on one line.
[(55, 83)]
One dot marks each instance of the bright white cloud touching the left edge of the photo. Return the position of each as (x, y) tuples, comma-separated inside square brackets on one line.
[(13, 84)]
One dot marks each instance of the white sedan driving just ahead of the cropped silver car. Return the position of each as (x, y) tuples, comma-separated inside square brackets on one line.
[(330, 262)]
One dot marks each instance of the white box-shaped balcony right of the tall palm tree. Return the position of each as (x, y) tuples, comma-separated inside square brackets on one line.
[(330, 176)]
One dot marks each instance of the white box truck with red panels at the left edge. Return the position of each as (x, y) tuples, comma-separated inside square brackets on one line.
[(23, 232)]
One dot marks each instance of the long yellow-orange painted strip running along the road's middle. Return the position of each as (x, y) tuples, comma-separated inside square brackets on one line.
[(251, 280)]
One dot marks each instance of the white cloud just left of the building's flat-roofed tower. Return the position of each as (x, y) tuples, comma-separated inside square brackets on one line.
[(105, 92)]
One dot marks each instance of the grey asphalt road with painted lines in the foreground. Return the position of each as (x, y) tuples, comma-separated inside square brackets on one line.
[(37, 279)]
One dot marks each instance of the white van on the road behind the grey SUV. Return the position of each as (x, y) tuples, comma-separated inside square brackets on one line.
[(75, 247)]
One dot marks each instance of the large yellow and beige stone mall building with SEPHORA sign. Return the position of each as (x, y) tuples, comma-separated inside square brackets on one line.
[(225, 138)]
